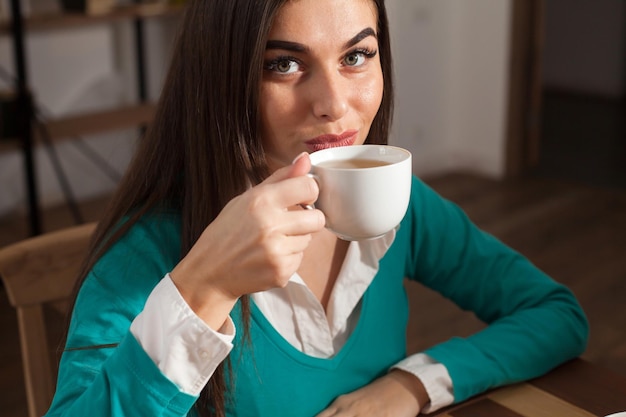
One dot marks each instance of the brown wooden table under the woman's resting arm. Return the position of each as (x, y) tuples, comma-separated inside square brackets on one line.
[(575, 389)]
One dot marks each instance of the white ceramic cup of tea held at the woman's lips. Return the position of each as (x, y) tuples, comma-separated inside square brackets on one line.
[(362, 199)]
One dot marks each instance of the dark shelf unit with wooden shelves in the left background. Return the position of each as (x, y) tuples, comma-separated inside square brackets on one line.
[(138, 115)]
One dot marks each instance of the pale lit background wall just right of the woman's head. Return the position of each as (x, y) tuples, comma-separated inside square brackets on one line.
[(451, 62)]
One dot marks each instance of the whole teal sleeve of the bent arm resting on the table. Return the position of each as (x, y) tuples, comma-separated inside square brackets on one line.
[(534, 323)]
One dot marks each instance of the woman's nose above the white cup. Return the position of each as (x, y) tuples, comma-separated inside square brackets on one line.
[(329, 95)]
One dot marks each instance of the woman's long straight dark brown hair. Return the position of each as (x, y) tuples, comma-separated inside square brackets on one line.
[(203, 147)]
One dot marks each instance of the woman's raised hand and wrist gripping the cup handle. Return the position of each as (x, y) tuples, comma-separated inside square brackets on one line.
[(256, 243)]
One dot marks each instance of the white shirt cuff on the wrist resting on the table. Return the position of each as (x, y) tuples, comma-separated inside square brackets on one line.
[(434, 377)]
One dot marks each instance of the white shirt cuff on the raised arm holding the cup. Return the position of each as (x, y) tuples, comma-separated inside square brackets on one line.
[(184, 347)]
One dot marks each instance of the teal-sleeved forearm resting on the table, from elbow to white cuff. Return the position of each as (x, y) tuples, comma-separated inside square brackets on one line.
[(522, 346)]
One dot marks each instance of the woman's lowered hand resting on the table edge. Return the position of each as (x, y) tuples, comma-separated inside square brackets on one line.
[(397, 394)]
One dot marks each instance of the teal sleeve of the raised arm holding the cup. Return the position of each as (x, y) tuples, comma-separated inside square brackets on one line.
[(103, 369)]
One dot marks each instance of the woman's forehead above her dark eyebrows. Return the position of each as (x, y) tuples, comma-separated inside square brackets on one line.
[(312, 21)]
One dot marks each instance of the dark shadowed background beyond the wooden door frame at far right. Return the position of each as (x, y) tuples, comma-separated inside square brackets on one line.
[(583, 126)]
